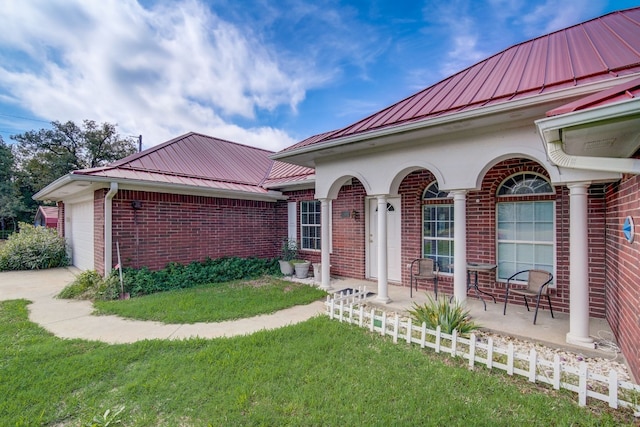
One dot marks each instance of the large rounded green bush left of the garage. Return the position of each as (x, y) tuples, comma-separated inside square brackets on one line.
[(33, 248)]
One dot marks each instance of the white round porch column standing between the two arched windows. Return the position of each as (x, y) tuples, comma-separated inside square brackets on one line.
[(460, 245)]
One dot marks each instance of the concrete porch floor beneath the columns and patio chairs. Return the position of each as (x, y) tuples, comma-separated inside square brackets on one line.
[(517, 323)]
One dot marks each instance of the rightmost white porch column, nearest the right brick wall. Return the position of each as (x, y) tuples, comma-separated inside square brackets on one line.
[(579, 266)]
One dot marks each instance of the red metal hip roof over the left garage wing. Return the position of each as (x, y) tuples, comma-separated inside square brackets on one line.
[(202, 161)]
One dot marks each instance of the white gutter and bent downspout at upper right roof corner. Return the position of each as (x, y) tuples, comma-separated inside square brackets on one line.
[(551, 130)]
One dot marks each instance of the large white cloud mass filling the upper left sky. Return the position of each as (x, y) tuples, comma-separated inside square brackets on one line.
[(158, 72)]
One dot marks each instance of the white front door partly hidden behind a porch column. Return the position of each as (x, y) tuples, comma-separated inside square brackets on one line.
[(393, 239)]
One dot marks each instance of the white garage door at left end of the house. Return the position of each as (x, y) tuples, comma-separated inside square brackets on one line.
[(79, 231)]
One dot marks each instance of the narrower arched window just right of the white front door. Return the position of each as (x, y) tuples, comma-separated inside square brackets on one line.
[(437, 229)]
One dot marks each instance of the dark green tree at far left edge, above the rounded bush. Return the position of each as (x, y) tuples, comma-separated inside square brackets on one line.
[(12, 205)]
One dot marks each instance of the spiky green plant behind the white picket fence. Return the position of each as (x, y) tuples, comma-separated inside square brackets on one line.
[(447, 315)]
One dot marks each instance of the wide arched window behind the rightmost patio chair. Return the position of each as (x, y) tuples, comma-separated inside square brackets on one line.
[(525, 226)]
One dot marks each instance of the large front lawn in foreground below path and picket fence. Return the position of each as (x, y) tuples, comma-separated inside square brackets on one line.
[(319, 372)]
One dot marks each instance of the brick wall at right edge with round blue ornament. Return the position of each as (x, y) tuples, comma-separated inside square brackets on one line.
[(622, 273)]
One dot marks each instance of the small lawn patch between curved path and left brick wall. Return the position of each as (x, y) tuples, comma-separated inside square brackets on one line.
[(215, 302)]
